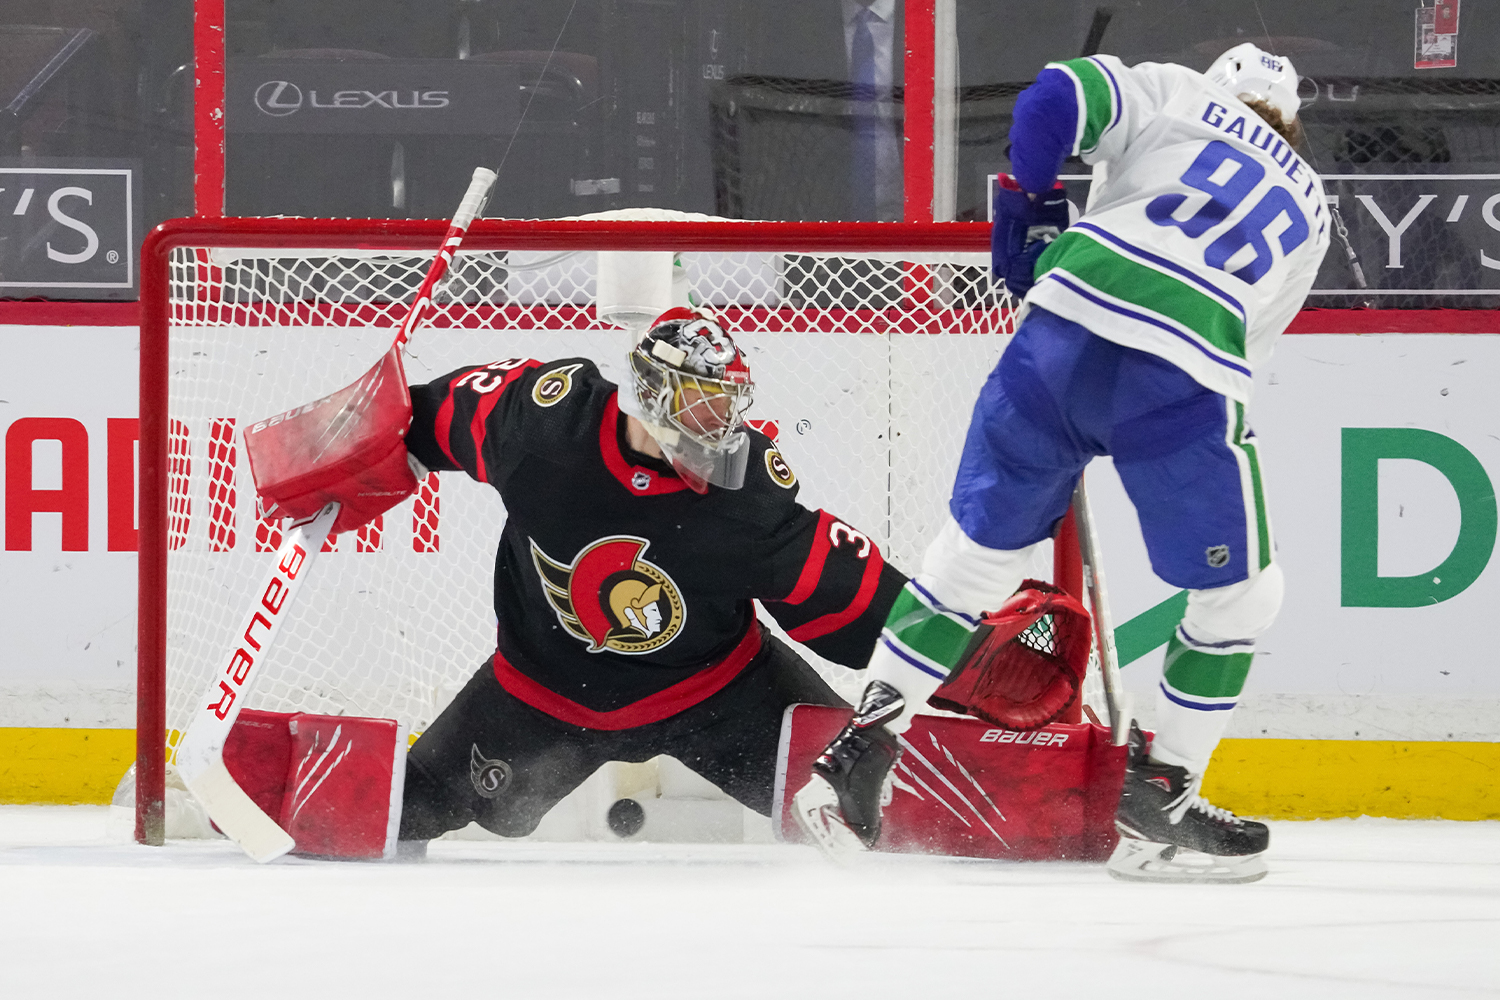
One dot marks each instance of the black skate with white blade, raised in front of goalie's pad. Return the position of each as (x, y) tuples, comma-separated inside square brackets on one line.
[(841, 806)]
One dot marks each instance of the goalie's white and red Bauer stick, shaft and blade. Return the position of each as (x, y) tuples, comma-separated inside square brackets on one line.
[(200, 753)]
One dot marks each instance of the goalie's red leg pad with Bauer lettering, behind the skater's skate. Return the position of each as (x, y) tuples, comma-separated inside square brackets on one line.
[(971, 789)]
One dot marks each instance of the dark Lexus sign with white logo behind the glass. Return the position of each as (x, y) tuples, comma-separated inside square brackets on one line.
[(392, 97)]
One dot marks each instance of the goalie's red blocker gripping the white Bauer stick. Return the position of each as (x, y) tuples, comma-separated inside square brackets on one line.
[(347, 448)]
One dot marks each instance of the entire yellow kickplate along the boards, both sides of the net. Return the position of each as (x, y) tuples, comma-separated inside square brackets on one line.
[(1277, 779)]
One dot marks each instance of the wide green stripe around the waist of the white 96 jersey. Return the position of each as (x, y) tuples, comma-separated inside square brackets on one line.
[(1130, 281)]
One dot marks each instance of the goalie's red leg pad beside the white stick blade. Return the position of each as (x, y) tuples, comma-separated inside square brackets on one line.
[(332, 782)]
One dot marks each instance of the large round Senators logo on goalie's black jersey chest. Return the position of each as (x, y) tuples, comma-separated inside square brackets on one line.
[(613, 599)]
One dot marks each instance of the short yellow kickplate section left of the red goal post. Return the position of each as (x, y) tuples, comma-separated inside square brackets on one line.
[(64, 767)]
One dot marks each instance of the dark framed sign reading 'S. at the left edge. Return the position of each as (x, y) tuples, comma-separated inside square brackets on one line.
[(70, 232)]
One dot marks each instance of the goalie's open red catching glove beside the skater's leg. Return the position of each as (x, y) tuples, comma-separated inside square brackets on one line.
[(1025, 663)]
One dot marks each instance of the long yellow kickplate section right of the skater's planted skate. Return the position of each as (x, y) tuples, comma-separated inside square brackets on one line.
[(1328, 779)]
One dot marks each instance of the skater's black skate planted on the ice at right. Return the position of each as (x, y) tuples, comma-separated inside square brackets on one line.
[(1169, 833)]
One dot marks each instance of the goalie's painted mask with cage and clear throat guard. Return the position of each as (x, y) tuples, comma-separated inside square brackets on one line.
[(692, 392)]
